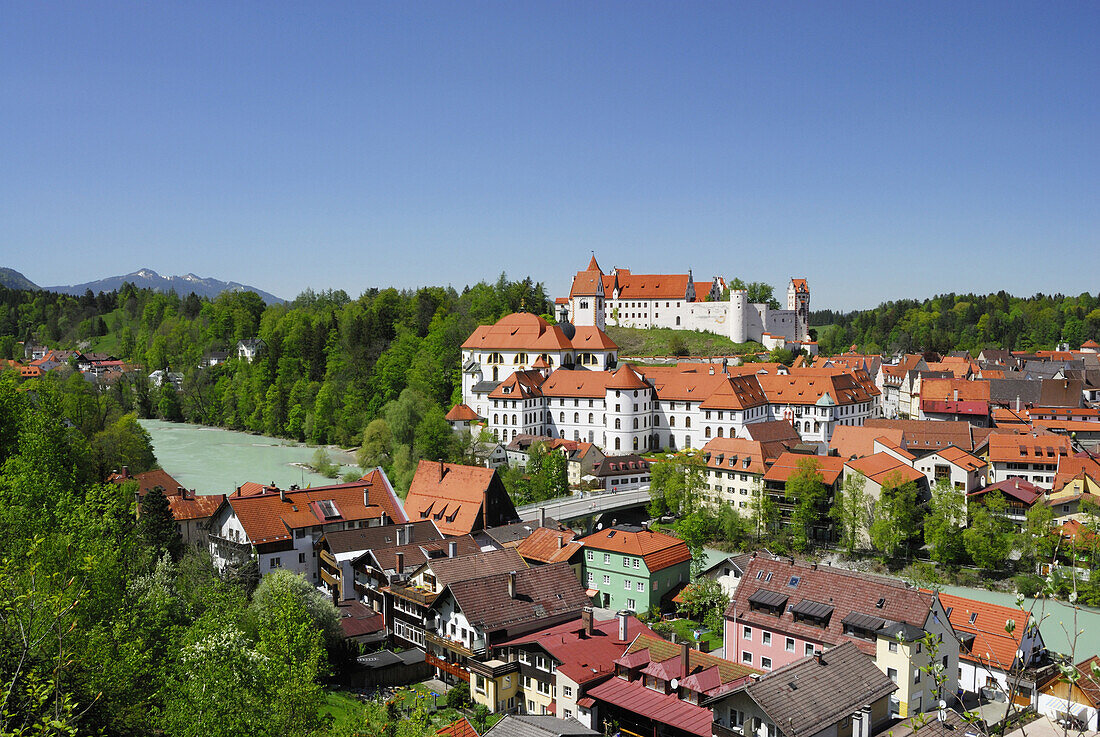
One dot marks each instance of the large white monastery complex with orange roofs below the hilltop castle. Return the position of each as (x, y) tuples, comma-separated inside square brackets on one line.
[(525, 377)]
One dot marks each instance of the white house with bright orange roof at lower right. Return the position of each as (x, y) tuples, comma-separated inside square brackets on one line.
[(989, 656)]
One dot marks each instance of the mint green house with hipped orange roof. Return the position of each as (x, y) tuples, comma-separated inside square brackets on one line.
[(634, 569)]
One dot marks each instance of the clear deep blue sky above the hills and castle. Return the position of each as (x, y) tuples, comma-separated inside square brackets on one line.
[(882, 150)]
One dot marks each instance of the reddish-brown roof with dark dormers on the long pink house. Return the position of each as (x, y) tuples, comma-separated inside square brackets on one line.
[(848, 592)]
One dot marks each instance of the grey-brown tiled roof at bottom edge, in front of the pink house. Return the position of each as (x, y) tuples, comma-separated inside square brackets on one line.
[(815, 694)]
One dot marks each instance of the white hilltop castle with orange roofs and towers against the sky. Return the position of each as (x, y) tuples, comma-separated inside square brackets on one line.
[(677, 301)]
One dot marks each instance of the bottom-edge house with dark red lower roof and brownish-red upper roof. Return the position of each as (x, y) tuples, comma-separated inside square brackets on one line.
[(665, 689)]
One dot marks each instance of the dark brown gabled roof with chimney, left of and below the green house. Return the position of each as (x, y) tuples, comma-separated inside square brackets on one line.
[(542, 593)]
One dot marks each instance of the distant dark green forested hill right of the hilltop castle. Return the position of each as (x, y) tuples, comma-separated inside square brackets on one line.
[(952, 322)]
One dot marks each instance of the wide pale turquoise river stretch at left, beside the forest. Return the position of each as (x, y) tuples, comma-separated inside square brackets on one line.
[(217, 461)]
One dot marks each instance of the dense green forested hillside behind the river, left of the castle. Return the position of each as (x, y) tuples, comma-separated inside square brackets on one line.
[(332, 364)]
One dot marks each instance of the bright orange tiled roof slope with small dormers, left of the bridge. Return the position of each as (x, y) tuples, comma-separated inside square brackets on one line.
[(450, 494)]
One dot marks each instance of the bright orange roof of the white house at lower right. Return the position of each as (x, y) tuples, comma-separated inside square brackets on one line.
[(993, 646)]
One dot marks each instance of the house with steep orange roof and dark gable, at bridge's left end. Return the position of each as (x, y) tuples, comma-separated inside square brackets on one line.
[(459, 499)]
